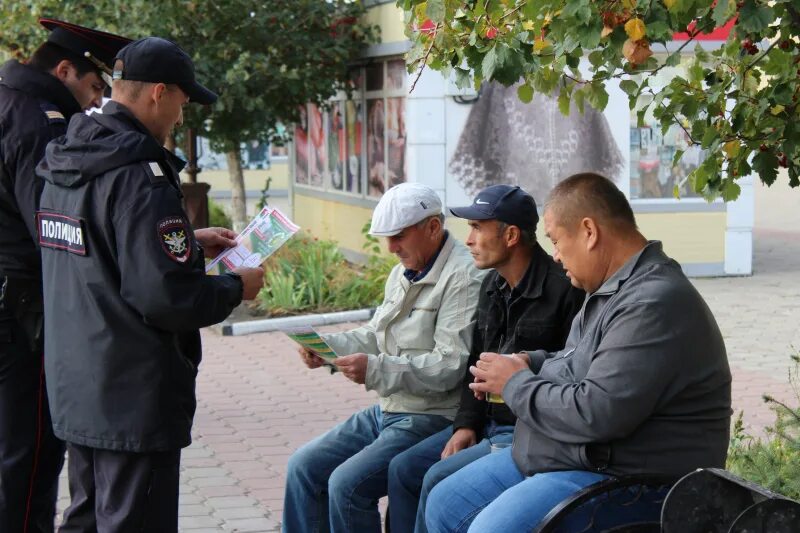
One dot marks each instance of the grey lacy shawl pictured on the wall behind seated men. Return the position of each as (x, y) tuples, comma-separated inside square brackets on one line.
[(532, 145)]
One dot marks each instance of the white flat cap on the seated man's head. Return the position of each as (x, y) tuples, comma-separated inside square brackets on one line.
[(403, 206)]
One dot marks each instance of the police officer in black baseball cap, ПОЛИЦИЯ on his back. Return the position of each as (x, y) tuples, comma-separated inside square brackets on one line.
[(125, 293)]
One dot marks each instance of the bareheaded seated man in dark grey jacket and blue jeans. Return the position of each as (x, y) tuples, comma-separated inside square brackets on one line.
[(642, 385)]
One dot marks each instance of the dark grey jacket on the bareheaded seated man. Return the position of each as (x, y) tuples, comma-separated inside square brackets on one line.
[(642, 385)]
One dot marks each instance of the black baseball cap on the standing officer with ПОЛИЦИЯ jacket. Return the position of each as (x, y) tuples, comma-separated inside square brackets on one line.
[(157, 60)]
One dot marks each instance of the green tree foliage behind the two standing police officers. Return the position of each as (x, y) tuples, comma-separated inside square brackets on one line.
[(264, 58)]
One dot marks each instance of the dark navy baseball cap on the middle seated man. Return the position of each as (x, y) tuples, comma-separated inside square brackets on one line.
[(505, 203)]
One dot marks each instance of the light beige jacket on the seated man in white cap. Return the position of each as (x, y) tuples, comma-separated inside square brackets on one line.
[(419, 338)]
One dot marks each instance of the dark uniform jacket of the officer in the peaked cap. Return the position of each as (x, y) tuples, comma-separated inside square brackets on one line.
[(34, 108)]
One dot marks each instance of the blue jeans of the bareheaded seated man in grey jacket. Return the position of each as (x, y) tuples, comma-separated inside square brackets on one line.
[(491, 495)]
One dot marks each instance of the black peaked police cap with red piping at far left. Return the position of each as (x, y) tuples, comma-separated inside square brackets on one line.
[(96, 46)]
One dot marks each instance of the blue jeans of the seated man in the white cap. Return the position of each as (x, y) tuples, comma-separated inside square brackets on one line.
[(333, 483)]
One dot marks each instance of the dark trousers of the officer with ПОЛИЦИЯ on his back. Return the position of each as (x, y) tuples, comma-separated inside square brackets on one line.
[(122, 492)]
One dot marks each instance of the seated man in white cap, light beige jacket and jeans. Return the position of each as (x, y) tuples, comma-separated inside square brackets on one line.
[(413, 353)]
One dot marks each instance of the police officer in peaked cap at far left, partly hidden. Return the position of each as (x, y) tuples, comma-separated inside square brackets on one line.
[(63, 77)]
